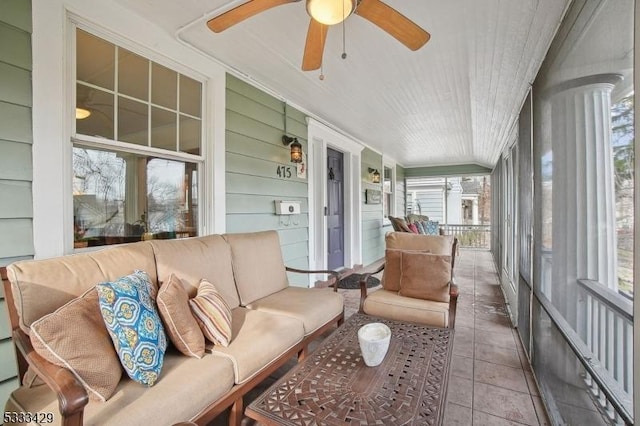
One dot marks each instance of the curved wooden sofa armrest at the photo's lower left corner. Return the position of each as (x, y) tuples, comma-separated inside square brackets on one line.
[(72, 396)]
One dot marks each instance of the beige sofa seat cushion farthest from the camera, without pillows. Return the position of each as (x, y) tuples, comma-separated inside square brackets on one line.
[(315, 307)]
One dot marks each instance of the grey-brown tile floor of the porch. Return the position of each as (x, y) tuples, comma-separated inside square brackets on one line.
[(491, 381)]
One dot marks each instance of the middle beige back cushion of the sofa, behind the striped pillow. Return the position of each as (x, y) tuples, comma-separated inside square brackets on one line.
[(195, 259)]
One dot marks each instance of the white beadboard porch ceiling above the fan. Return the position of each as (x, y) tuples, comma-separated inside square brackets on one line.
[(455, 101)]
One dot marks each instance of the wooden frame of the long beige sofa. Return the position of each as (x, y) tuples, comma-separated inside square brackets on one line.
[(72, 397)]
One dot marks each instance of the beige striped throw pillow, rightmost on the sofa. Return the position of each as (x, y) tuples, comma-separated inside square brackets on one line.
[(212, 314)]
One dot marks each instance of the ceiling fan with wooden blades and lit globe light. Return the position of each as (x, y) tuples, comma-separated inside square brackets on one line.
[(325, 13)]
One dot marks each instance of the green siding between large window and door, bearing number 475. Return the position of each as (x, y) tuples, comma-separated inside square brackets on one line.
[(254, 151)]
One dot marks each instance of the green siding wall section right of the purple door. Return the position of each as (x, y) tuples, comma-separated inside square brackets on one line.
[(372, 230)]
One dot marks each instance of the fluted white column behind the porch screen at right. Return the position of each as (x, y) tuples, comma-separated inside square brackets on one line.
[(584, 240)]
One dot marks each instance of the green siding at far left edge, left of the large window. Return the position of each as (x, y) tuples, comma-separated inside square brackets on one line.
[(16, 204)]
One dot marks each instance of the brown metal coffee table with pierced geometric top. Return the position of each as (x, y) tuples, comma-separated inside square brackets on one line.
[(333, 386)]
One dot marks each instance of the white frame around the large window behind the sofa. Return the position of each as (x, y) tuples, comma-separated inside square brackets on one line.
[(82, 140)]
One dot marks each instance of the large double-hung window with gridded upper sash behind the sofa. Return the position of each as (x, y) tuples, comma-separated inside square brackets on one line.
[(136, 147)]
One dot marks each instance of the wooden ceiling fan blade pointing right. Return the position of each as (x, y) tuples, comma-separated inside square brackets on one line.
[(394, 23)]
